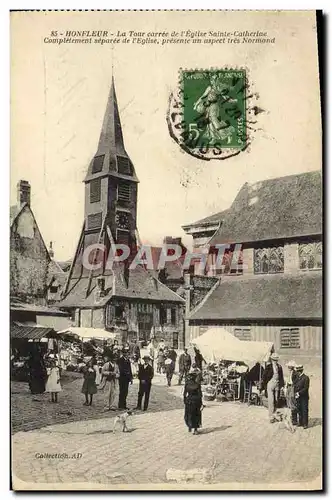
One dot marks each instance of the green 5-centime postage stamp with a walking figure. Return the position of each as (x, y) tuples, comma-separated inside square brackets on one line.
[(214, 108)]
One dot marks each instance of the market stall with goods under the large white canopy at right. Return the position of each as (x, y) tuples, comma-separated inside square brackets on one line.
[(233, 367)]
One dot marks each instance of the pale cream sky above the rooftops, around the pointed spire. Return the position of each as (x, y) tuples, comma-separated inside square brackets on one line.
[(59, 95)]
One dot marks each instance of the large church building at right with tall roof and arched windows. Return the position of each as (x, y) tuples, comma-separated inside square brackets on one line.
[(270, 289)]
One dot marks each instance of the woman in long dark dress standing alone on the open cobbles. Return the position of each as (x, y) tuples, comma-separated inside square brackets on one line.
[(193, 403)]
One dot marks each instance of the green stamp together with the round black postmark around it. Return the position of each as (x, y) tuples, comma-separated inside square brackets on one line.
[(210, 113)]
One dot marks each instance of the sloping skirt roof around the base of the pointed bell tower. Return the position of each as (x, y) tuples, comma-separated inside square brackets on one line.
[(142, 285)]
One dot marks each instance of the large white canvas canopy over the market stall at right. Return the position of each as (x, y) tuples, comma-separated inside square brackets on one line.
[(218, 344)]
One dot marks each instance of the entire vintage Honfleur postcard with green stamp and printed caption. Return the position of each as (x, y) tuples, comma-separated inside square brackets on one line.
[(166, 250)]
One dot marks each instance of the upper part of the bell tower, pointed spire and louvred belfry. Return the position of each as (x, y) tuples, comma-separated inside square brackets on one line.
[(111, 182)]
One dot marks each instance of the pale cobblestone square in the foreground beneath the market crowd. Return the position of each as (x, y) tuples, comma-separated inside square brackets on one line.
[(236, 444)]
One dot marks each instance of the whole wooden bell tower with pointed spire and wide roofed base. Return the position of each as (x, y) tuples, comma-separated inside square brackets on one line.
[(129, 300)]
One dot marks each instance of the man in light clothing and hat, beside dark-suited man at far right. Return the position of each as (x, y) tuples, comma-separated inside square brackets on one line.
[(273, 381)]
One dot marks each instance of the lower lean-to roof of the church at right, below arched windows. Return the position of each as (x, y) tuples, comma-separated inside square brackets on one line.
[(277, 296)]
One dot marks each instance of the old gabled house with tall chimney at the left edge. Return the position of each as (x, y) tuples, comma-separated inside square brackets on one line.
[(34, 275)]
